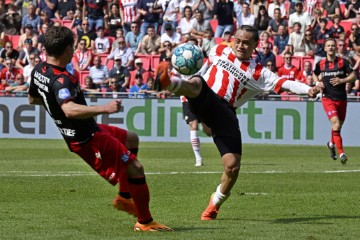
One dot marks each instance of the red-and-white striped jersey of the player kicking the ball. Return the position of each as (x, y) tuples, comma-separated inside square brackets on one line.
[(237, 81)]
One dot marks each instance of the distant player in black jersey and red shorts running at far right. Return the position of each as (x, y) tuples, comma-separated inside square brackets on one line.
[(332, 73)]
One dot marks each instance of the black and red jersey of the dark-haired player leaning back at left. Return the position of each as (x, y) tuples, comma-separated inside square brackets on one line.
[(55, 86)]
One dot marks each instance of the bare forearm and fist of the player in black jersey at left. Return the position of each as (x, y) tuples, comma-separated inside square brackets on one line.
[(78, 111)]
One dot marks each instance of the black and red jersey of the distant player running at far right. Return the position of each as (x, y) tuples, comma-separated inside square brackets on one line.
[(340, 68)]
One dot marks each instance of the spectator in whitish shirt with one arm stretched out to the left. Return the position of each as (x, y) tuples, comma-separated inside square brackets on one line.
[(126, 54)]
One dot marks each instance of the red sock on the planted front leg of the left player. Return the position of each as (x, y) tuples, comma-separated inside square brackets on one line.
[(140, 193)]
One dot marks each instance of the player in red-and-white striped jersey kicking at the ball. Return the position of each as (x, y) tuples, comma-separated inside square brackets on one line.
[(228, 80)]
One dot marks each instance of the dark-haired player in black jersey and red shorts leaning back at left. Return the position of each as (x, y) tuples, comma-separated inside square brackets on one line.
[(109, 150)]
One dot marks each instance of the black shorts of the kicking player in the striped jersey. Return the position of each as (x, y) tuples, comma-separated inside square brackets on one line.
[(217, 114)]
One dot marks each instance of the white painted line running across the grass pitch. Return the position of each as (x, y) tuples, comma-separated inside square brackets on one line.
[(74, 173)]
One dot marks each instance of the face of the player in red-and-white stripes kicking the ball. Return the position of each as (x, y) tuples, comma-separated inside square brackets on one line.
[(244, 44)]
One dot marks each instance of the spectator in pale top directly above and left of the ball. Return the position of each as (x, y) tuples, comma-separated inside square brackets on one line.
[(151, 42)]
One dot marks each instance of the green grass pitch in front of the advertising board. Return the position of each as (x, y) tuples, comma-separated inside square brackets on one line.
[(283, 192)]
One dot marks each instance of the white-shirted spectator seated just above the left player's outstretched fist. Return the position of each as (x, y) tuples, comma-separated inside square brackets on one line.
[(99, 73)]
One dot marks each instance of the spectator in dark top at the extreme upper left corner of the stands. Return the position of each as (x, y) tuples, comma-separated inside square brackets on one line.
[(11, 21)]
